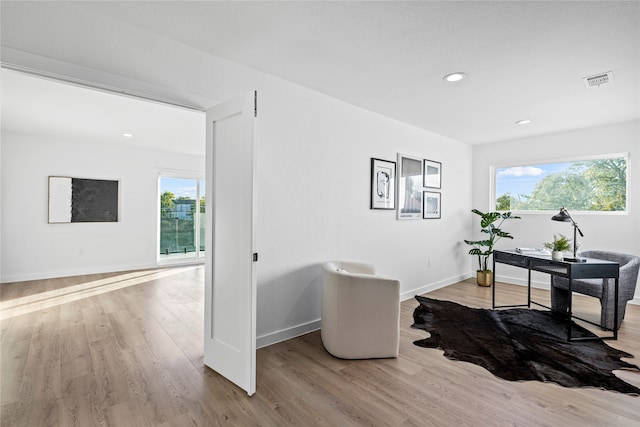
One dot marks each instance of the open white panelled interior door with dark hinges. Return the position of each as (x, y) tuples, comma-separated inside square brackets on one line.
[(230, 284)]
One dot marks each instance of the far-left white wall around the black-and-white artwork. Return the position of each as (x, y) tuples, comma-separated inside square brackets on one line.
[(34, 249)]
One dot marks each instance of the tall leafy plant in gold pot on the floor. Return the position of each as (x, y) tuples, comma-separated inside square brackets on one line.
[(484, 248)]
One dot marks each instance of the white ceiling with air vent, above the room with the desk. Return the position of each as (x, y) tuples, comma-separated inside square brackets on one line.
[(524, 59)]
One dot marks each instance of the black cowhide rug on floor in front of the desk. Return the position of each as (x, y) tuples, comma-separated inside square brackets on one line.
[(521, 344)]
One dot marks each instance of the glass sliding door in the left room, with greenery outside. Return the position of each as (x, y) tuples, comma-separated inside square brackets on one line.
[(181, 234)]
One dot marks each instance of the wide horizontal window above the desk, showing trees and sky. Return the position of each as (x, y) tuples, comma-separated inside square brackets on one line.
[(594, 184)]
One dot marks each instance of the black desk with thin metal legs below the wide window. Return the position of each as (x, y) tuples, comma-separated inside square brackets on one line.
[(589, 269)]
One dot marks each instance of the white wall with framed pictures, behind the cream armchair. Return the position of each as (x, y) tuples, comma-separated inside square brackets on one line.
[(313, 204)]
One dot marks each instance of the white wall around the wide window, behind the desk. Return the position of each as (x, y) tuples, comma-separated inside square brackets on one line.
[(615, 232)]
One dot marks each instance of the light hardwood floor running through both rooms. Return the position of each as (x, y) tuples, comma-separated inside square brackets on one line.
[(125, 349)]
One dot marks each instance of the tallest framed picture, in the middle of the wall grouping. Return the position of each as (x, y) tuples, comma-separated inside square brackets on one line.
[(409, 187)]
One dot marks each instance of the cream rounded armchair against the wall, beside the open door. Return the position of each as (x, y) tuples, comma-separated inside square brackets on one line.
[(360, 311)]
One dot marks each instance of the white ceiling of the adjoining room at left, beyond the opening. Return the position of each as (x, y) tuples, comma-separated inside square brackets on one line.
[(56, 110)]
